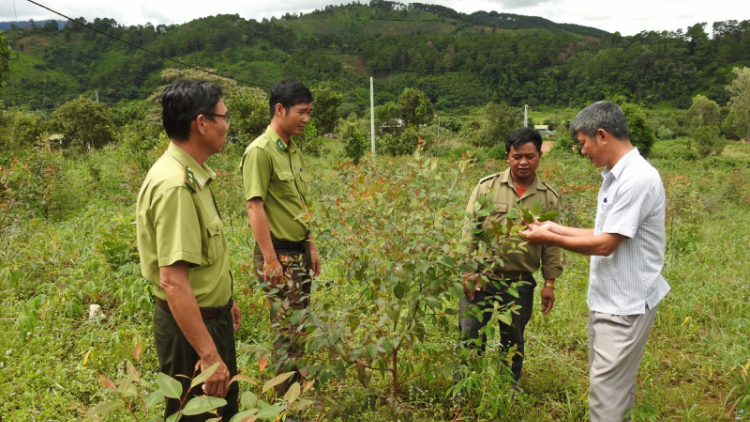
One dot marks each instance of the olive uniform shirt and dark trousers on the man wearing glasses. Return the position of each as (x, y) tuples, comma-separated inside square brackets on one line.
[(177, 220)]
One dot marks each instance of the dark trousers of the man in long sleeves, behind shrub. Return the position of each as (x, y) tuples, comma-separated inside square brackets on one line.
[(510, 335)]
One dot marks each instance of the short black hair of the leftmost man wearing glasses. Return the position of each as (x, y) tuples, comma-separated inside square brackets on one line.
[(183, 101)]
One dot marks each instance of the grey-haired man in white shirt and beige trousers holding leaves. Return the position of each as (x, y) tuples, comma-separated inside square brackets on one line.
[(627, 254)]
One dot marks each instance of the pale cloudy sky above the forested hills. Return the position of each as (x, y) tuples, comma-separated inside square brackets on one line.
[(628, 17)]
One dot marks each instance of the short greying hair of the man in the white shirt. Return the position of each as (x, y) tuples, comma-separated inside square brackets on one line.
[(600, 115)]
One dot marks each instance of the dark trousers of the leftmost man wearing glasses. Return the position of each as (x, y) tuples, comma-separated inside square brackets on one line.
[(177, 357)]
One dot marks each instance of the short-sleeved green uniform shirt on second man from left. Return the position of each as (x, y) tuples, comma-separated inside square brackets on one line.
[(274, 172)]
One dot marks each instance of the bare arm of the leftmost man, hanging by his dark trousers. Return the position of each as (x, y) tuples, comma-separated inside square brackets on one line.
[(173, 279)]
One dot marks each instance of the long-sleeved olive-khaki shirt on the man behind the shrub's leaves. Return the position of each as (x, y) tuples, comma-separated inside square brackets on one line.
[(501, 191)]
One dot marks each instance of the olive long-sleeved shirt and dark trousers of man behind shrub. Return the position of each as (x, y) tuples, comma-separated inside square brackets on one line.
[(500, 193)]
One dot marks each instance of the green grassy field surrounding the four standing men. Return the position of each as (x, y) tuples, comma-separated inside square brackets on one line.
[(68, 242)]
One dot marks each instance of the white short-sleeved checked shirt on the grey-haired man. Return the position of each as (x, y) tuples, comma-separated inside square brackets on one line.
[(631, 202)]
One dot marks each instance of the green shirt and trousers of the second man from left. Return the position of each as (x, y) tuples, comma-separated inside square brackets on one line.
[(275, 173)]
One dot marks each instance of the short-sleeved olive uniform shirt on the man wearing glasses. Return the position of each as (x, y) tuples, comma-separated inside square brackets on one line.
[(177, 220)]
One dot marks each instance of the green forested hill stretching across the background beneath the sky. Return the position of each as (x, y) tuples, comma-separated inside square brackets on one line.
[(459, 60)]
